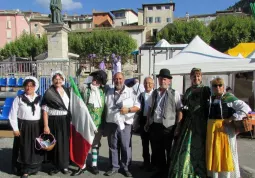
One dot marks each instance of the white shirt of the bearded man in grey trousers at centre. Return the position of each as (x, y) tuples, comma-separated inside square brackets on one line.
[(115, 101)]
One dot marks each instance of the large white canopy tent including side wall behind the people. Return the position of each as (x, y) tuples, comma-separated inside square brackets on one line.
[(212, 62)]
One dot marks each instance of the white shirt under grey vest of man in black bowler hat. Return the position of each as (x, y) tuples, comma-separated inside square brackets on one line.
[(157, 118)]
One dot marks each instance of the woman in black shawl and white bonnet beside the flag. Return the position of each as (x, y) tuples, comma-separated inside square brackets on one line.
[(56, 116)]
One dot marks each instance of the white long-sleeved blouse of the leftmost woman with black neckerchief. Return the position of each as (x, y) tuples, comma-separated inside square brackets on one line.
[(22, 111)]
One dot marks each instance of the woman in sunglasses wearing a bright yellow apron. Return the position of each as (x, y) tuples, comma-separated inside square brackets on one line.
[(221, 146)]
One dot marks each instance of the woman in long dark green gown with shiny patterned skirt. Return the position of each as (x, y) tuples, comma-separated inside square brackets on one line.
[(188, 155)]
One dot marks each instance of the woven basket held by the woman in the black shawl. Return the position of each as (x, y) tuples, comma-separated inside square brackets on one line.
[(44, 137)]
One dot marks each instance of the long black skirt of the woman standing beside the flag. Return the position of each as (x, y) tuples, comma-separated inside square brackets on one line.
[(60, 128)]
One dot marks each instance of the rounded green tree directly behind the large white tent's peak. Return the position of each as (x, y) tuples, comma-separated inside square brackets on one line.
[(184, 32)]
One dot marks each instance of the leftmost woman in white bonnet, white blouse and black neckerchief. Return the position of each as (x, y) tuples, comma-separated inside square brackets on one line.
[(25, 117)]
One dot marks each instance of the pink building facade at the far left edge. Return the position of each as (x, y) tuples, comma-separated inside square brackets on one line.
[(12, 25)]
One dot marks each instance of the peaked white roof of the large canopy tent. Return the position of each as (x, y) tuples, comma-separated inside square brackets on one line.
[(199, 54)]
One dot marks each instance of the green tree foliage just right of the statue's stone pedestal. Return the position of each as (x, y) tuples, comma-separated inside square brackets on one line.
[(102, 43)]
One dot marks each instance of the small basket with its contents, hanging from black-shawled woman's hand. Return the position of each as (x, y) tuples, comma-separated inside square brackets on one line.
[(45, 142)]
